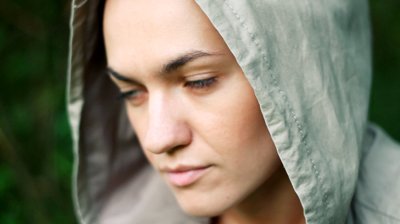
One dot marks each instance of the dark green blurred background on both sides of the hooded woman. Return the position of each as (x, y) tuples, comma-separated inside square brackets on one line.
[(35, 143)]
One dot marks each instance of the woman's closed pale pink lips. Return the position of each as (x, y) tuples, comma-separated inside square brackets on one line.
[(185, 176)]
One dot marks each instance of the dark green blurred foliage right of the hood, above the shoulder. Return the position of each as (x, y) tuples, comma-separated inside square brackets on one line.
[(385, 96)]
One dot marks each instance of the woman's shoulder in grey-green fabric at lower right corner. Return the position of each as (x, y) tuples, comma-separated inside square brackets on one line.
[(377, 196)]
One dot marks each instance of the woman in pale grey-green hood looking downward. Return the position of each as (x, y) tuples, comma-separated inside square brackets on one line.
[(247, 111)]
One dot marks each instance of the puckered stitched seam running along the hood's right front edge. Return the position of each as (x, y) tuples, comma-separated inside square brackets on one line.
[(275, 82)]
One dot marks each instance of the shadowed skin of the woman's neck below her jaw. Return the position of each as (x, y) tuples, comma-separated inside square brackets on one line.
[(273, 202)]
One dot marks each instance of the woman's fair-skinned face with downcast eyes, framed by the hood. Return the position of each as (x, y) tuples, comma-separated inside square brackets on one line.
[(189, 102)]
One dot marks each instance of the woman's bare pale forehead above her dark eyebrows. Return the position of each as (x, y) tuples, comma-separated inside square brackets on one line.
[(144, 36)]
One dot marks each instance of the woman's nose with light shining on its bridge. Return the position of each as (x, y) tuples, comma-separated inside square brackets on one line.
[(167, 129)]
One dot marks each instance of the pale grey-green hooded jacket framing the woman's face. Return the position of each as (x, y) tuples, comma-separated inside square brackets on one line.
[(309, 63)]
